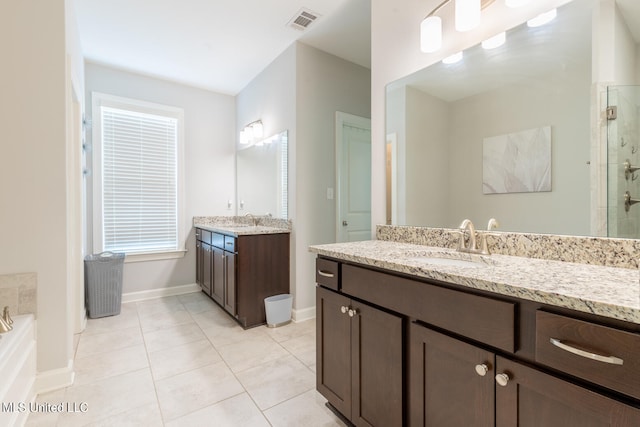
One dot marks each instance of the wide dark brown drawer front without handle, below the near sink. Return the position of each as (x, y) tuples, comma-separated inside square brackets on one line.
[(490, 321)]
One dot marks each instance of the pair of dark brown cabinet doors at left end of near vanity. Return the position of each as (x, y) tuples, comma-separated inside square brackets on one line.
[(359, 359)]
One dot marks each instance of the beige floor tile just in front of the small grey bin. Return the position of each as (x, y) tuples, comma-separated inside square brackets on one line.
[(251, 353)]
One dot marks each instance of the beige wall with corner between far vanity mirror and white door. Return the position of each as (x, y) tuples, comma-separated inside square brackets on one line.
[(301, 91)]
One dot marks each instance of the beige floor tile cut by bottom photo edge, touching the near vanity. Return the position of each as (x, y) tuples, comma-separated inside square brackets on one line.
[(307, 409)]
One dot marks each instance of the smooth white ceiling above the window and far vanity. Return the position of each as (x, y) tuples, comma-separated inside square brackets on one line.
[(219, 45)]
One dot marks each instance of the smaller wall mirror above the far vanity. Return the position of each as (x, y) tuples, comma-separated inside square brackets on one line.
[(261, 177)]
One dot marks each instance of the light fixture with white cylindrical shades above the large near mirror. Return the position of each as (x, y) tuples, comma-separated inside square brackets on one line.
[(467, 17)]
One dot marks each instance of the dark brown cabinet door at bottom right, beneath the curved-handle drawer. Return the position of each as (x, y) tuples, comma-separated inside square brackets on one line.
[(532, 398)]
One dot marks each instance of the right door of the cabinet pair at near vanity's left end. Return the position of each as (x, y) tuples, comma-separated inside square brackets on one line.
[(376, 345)]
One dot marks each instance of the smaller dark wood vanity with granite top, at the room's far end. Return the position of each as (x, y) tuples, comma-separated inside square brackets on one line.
[(239, 265)]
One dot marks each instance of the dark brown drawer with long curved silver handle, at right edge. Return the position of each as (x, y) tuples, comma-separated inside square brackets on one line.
[(596, 353)]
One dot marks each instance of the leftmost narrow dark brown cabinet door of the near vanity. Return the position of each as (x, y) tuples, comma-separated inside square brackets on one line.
[(333, 352)]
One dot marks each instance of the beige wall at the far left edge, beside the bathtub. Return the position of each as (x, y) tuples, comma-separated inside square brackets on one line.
[(35, 80)]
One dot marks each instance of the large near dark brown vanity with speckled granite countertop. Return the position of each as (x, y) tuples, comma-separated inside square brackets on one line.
[(422, 336)]
